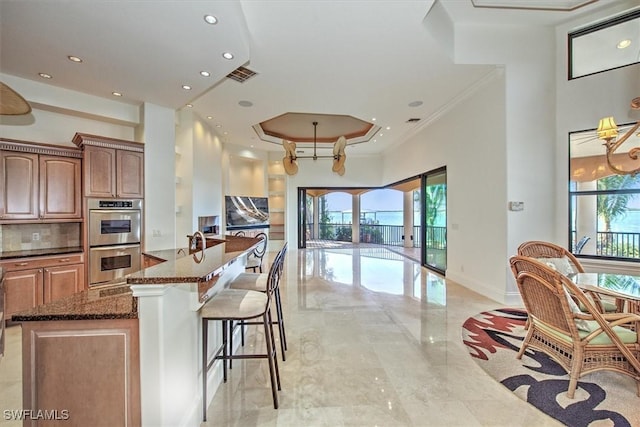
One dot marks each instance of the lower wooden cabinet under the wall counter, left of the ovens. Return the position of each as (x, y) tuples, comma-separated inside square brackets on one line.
[(30, 282)]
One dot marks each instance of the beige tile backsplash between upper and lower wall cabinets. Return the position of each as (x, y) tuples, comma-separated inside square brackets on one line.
[(21, 237)]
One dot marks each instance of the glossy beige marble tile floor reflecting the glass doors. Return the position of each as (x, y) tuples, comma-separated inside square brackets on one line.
[(373, 340)]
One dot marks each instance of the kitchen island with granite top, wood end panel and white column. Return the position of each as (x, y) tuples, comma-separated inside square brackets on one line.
[(128, 353)]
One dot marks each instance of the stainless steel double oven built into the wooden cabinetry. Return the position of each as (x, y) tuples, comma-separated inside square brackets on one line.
[(115, 227)]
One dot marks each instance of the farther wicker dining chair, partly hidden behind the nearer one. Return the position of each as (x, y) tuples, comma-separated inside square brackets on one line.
[(566, 263)]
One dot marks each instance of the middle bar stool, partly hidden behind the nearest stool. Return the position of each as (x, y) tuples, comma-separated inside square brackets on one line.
[(260, 283)]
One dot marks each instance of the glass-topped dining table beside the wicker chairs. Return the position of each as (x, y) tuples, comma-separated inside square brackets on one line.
[(623, 288)]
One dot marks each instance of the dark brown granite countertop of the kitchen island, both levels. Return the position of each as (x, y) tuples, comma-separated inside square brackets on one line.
[(116, 301)]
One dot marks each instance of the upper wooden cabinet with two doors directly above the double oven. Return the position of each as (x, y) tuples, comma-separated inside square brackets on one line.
[(112, 167)]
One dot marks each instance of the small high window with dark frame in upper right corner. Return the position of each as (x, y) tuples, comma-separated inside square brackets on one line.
[(604, 46)]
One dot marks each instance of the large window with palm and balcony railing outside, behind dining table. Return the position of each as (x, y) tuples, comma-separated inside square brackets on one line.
[(604, 208)]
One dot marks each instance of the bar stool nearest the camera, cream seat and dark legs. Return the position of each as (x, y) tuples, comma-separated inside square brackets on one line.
[(238, 305)]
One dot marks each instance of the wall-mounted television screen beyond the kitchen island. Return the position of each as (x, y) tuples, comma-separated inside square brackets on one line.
[(246, 212)]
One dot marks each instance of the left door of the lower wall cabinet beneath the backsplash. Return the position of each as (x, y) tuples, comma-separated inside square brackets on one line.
[(23, 290)]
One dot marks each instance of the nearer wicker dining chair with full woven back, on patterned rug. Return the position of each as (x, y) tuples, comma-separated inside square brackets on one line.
[(580, 341)]
